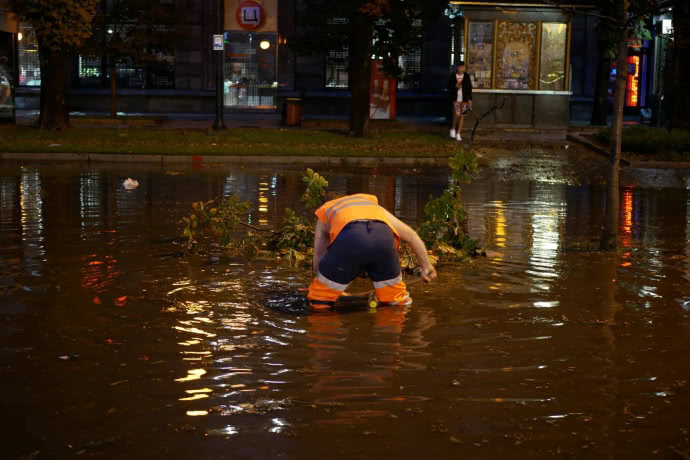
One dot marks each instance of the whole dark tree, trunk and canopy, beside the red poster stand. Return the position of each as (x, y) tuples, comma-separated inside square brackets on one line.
[(386, 29)]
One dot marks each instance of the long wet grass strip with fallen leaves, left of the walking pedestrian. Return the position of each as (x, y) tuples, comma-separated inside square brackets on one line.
[(236, 141)]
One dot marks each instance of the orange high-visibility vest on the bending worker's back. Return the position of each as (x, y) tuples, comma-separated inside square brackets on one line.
[(336, 214)]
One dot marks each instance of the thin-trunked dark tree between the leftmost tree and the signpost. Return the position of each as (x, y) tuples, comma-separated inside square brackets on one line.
[(132, 31)]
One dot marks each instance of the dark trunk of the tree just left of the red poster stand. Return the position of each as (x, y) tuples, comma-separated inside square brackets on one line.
[(360, 71)]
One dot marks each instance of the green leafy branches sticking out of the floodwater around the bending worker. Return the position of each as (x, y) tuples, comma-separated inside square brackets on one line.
[(293, 237)]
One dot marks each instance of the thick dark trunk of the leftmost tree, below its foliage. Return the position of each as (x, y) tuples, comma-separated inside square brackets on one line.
[(54, 70)]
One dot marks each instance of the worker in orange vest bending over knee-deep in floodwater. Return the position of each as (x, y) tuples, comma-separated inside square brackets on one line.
[(355, 234)]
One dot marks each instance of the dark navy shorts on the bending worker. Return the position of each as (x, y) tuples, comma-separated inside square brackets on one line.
[(362, 246)]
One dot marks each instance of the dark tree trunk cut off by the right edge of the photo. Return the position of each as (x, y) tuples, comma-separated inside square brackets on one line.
[(680, 117)]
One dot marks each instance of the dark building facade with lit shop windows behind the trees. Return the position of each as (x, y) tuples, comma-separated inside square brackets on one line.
[(535, 61)]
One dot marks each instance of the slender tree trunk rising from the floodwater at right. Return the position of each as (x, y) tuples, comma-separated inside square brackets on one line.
[(609, 234)]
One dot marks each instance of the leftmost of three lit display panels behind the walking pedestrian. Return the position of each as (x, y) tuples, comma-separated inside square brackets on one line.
[(480, 53)]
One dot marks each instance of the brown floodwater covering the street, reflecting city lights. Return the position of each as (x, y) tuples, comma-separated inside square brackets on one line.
[(113, 345)]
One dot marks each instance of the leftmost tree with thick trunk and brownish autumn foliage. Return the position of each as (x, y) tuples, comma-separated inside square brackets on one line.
[(61, 27)]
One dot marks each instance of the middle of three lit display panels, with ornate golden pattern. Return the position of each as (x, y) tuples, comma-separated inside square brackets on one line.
[(516, 58)]
